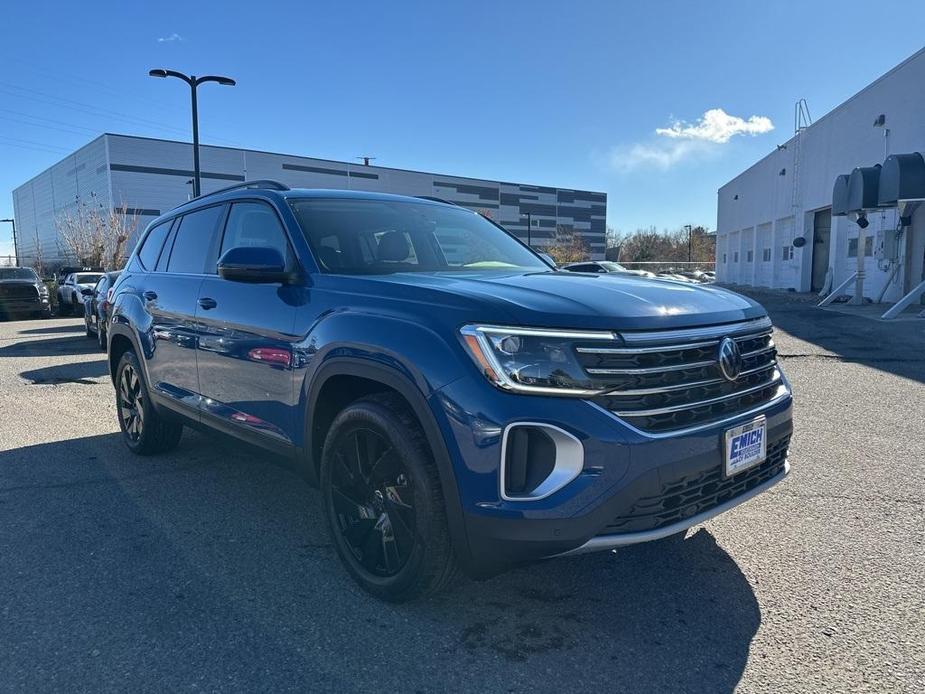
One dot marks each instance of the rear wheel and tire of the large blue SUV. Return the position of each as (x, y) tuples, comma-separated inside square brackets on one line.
[(144, 431)]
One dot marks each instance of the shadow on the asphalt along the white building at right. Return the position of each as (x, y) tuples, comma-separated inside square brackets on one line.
[(896, 347)]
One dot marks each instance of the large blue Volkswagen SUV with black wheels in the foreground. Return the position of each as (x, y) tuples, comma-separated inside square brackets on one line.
[(459, 402)]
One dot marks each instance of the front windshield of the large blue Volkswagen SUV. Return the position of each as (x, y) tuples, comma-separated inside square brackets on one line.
[(352, 236)]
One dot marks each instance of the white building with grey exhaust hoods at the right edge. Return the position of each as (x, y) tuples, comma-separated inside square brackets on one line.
[(789, 194)]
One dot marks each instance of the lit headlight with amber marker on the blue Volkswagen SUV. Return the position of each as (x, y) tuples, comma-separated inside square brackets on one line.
[(532, 360)]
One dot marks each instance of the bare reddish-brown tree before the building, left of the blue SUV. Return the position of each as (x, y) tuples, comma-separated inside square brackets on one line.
[(97, 235)]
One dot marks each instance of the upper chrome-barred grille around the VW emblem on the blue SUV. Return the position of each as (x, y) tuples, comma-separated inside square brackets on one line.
[(670, 380)]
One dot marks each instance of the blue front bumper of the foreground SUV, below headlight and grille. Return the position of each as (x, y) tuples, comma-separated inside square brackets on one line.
[(633, 487)]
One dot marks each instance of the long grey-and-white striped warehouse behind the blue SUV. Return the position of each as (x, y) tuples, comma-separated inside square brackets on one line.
[(151, 176)]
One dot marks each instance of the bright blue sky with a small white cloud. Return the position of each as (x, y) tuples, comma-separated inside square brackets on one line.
[(656, 103)]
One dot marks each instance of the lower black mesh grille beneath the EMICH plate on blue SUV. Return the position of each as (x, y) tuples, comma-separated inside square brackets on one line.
[(689, 495)]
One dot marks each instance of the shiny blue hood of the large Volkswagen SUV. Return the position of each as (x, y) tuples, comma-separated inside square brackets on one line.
[(578, 300)]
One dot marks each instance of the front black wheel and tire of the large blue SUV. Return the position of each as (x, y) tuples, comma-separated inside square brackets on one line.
[(384, 504)]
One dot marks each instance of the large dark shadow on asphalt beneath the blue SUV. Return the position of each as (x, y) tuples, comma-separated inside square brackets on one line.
[(224, 563)]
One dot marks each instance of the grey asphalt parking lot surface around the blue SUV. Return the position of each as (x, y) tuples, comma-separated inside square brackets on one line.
[(209, 569)]
